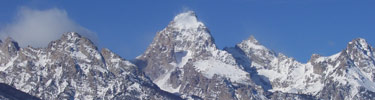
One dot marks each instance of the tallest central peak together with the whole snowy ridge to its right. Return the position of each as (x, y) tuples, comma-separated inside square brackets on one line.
[(183, 59)]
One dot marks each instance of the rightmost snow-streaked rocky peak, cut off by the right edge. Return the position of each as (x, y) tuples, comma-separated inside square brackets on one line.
[(348, 74)]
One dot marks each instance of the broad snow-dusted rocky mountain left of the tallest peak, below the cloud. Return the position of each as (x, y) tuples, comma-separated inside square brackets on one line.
[(73, 68)]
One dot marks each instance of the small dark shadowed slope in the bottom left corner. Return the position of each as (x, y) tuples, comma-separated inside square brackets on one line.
[(9, 93)]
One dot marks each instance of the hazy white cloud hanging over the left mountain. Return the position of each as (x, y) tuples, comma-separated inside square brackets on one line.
[(38, 27)]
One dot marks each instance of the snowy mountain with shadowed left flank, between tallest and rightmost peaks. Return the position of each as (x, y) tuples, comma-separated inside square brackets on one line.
[(277, 71)]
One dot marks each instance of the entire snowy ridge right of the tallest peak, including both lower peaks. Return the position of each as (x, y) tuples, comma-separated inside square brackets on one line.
[(345, 75)]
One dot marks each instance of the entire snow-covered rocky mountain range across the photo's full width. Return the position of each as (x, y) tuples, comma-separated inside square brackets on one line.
[(183, 62)]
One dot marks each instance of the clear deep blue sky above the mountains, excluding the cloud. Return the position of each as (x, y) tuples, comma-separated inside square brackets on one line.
[(297, 28)]
